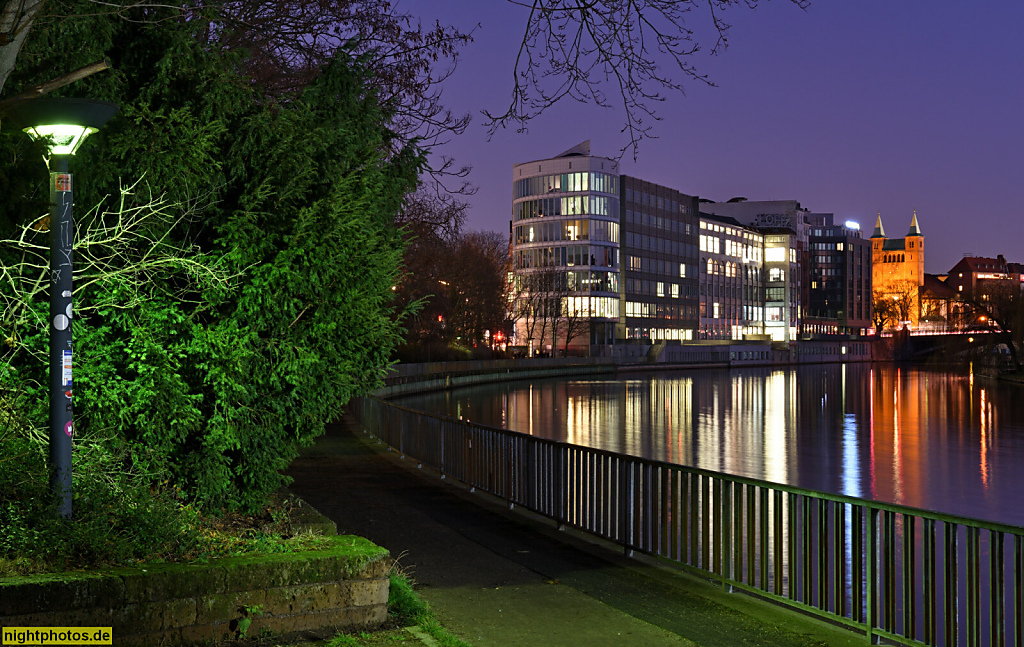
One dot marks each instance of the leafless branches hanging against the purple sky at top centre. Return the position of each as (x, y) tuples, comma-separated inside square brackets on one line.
[(575, 49)]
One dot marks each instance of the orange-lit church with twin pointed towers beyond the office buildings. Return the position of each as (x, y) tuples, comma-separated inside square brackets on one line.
[(899, 268)]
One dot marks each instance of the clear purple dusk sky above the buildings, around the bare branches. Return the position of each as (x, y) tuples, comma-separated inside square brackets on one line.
[(850, 108)]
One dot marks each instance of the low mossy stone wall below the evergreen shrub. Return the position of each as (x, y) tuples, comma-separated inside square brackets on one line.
[(345, 587)]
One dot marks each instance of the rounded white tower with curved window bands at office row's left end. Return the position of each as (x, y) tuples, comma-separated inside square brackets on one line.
[(566, 242)]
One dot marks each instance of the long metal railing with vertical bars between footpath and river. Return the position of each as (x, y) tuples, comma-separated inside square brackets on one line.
[(893, 573)]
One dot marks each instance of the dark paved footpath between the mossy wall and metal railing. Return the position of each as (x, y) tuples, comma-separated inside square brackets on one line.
[(500, 578)]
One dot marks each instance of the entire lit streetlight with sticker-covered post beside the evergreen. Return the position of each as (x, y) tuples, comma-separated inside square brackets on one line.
[(64, 124)]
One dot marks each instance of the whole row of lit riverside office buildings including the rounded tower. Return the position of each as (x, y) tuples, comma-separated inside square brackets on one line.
[(602, 258)]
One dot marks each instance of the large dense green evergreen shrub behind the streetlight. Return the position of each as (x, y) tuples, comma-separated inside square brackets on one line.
[(216, 338)]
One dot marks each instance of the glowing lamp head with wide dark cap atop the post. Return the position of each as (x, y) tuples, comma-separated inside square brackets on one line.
[(66, 123)]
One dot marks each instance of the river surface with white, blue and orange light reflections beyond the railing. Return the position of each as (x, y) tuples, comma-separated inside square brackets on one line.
[(927, 440)]
